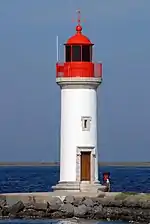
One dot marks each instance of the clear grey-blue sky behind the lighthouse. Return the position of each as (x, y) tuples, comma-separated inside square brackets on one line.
[(30, 98)]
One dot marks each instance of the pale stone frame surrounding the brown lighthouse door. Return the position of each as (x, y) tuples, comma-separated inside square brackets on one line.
[(90, 149)]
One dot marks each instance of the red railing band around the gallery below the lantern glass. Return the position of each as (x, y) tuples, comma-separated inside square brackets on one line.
[(79, 69)]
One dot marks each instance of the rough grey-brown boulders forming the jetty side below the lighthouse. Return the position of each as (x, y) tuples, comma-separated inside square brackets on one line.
[(124, 206)]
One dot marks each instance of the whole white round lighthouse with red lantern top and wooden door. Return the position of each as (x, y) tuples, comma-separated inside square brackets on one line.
[(78, 78)]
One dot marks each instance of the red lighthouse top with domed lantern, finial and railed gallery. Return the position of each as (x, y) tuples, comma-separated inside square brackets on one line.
[(78, 57)]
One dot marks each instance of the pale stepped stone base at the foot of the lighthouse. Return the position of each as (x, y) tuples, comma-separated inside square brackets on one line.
[(84, 186)]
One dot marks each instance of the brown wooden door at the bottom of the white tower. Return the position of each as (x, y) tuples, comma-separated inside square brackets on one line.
[(85, 166)]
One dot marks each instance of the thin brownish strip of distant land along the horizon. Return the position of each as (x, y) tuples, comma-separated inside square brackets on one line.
[(36, 164)]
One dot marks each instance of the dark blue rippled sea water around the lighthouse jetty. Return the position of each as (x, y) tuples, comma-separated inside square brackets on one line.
[(38, 179)]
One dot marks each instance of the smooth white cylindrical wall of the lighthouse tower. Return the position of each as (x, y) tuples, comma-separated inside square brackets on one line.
[(76, 103)]
